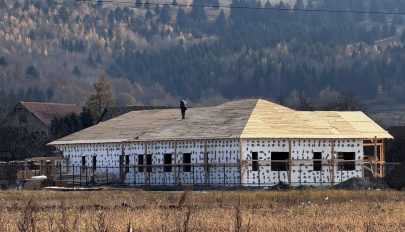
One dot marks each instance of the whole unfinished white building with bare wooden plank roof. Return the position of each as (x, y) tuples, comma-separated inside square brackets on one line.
[(244, 142)]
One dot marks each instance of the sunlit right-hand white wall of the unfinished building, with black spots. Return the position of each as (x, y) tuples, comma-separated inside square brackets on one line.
[(302, 168)]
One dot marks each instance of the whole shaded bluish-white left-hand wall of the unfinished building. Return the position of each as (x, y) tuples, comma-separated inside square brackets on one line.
[(223, 152)]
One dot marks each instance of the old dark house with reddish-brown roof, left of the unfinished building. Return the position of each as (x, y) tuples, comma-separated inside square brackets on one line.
[(26, 128)]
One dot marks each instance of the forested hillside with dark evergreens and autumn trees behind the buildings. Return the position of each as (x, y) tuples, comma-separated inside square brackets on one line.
[(158, 53)]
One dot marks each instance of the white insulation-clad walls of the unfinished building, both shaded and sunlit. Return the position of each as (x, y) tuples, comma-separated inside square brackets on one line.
[(223, 152)]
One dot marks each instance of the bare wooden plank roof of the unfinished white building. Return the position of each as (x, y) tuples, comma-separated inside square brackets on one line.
[(253, 118)]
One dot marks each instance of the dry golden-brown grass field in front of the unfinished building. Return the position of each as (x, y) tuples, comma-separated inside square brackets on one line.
[(116, 210)]
